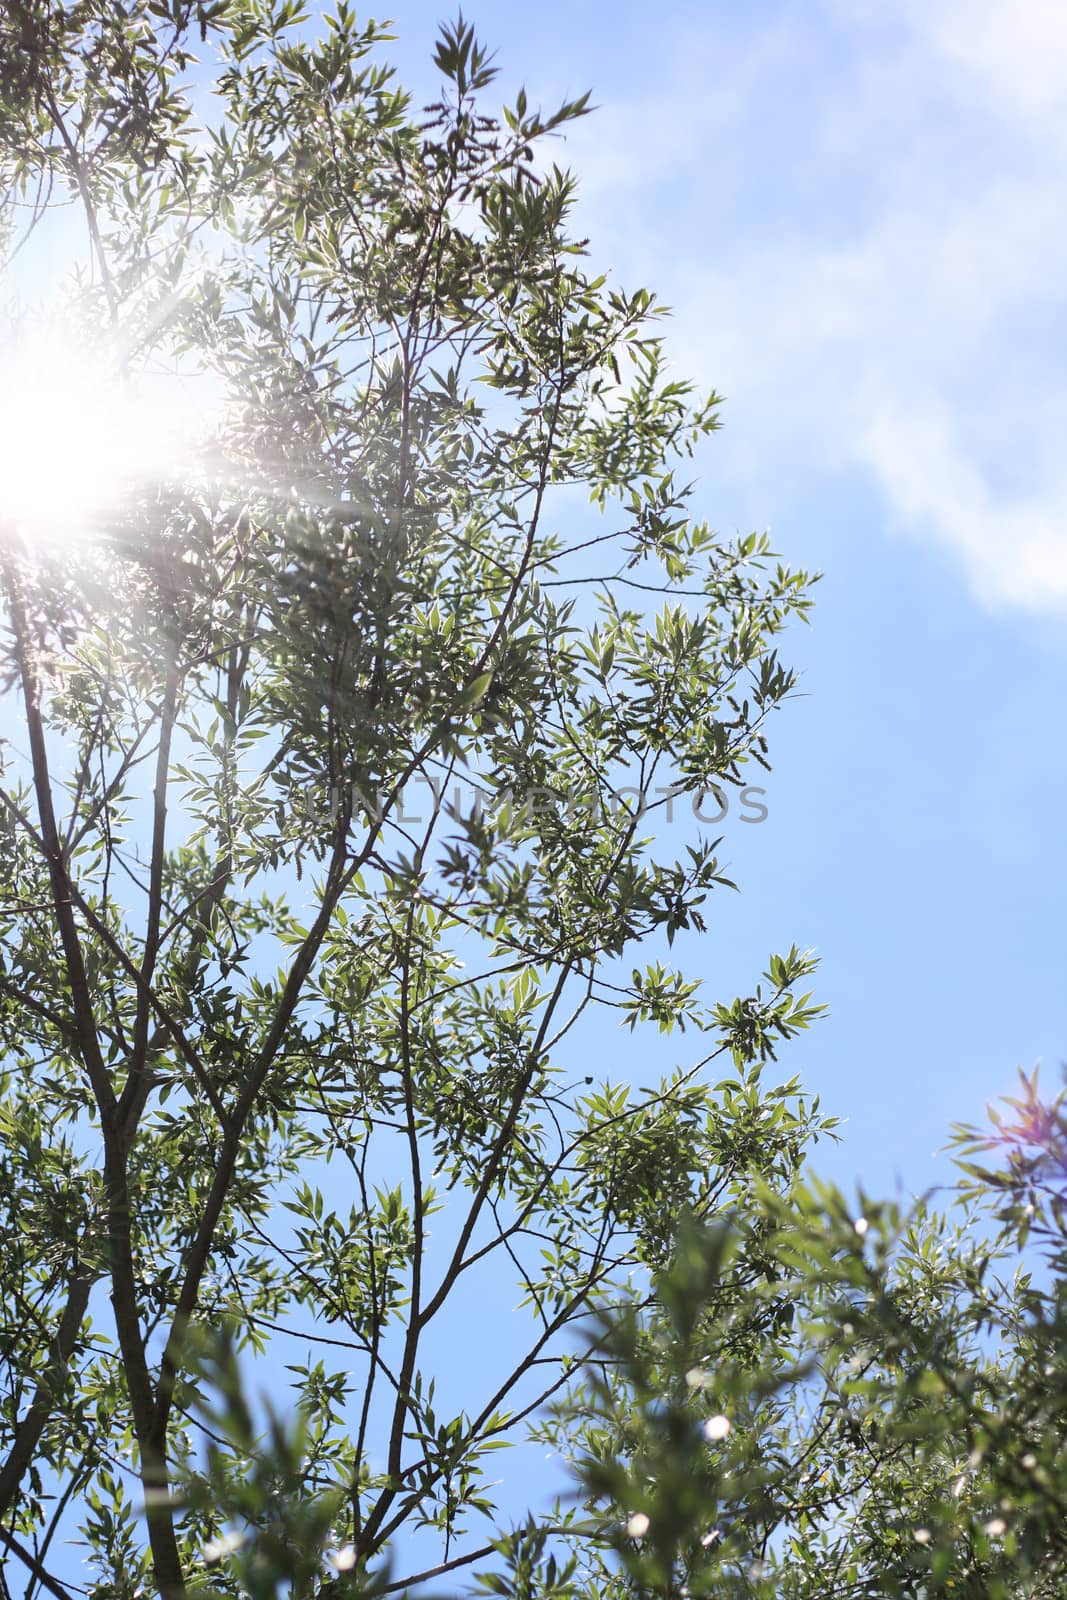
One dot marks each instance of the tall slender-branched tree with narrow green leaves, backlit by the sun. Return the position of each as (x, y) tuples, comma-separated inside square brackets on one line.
[(249, 1082)]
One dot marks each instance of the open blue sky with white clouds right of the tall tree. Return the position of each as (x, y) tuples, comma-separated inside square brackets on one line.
[(858, 215)]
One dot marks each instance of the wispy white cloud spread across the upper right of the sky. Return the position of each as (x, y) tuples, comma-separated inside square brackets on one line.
[(901, 308)]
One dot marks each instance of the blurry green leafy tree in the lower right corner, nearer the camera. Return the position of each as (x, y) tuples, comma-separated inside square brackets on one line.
[(882, 1415)]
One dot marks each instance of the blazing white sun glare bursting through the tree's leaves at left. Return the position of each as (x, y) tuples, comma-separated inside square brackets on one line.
[(79, 436)]
